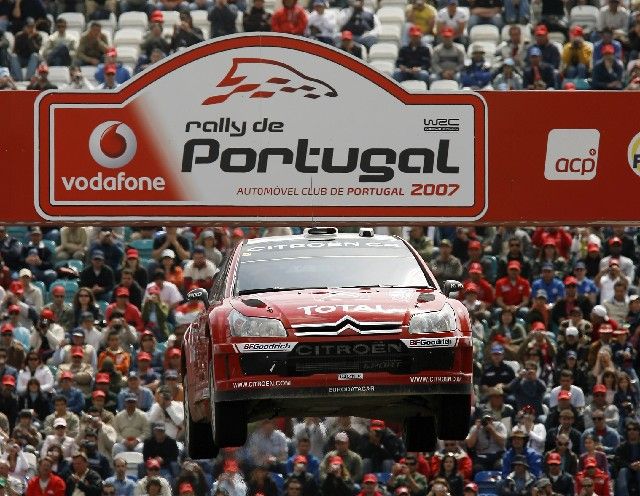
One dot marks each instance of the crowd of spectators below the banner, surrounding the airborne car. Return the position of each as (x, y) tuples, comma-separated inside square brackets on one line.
[(92, 321)]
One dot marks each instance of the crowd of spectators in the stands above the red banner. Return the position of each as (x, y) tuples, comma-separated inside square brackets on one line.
[(545, 43)]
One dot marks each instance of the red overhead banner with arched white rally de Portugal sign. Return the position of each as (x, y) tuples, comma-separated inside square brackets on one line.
[(275, 129)]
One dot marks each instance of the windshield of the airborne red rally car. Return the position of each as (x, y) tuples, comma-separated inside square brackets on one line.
[(274, 266)]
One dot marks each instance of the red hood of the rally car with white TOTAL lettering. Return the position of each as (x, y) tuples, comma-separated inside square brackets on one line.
[(335, 307)]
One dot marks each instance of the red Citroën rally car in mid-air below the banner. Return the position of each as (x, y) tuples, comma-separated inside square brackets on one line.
[(327, 324)]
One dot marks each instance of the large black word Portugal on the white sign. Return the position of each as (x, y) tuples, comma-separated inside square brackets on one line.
[(206, 151)]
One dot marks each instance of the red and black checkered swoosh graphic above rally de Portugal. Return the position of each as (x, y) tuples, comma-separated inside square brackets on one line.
[(263, 78)]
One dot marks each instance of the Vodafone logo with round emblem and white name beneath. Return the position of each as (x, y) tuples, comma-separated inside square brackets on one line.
[(113, 145)]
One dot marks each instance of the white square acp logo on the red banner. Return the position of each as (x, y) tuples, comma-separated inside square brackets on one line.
[(572, 154)]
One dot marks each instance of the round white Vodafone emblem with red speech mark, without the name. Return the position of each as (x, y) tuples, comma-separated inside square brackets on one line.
[(112, 144)]
